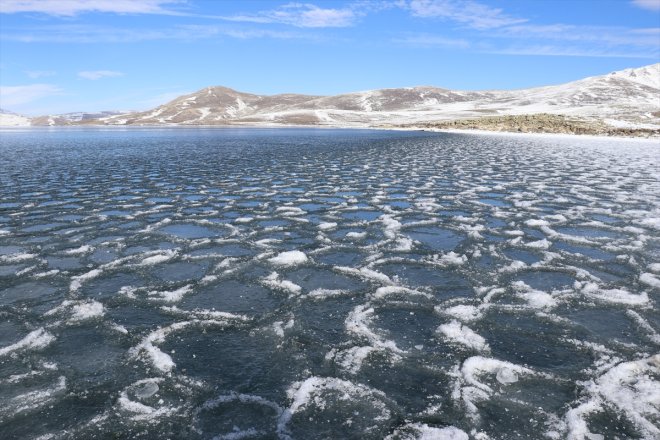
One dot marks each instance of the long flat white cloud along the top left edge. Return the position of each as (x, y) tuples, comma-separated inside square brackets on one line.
[(75, 7)]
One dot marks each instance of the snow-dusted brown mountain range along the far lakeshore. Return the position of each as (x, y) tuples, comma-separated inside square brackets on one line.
[(624, 99)]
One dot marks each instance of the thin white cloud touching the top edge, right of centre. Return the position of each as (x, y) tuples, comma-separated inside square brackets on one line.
[(466, 12)]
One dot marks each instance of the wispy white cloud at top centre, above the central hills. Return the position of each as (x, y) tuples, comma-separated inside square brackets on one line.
[(302, 15)]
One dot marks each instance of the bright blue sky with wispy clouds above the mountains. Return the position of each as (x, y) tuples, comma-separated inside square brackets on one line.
[(85, 55)]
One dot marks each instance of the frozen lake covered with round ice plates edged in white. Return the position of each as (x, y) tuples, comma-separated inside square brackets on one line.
[(310, 284)]
